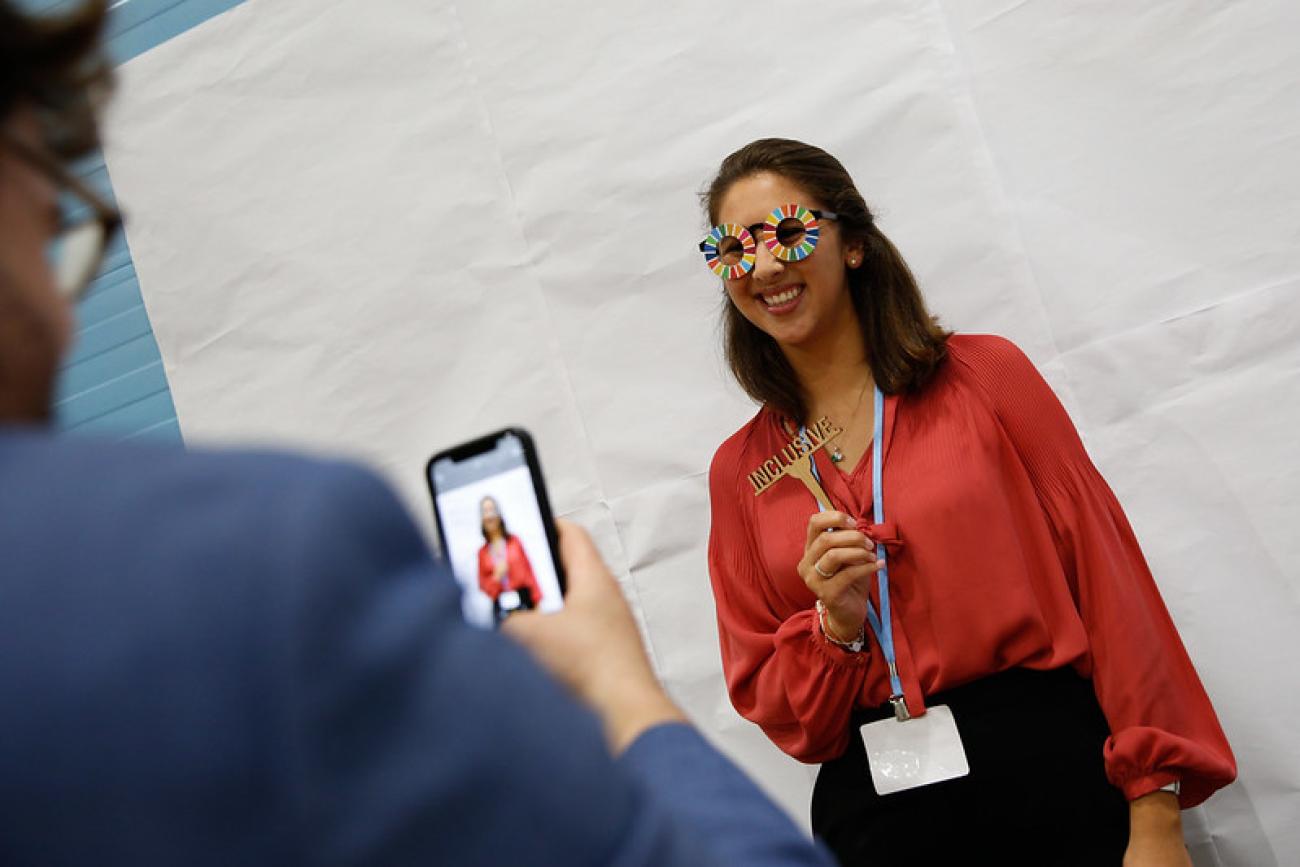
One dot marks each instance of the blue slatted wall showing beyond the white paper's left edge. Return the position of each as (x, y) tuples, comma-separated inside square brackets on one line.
[(114, 382)]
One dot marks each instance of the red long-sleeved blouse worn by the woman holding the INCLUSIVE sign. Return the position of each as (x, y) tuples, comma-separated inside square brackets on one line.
[(1007, 549)]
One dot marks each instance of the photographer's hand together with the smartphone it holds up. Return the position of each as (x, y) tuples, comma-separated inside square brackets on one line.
[(496, 528)]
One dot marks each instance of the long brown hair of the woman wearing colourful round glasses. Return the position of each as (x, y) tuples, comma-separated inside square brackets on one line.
[(905, 344)]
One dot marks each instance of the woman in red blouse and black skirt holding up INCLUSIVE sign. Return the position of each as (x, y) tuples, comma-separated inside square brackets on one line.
[(994, 604)]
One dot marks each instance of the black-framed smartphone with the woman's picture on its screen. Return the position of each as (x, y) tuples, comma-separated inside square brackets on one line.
[(496, 527)]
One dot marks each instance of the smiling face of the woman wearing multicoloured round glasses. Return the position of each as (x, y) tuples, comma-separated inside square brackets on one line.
[(794, 302)]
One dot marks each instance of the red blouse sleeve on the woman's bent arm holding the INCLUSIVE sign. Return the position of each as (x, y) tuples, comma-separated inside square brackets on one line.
[(782, 674)]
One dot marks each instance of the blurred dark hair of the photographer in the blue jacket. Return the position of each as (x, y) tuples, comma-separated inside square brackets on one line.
[(57, 66)]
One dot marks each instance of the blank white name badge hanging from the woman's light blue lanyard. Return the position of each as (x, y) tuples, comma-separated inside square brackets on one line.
[(924, 751)]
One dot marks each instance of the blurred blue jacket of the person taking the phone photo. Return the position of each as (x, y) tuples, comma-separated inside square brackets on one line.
[(252, 660)]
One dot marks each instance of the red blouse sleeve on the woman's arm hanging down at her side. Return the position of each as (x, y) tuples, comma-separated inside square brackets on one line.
[(1162, 721)]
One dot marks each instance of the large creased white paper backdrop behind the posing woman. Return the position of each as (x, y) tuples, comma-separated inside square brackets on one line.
[(380, 228)]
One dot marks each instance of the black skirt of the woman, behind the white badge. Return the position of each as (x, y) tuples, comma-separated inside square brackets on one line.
[(1037, 794)]
